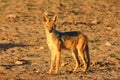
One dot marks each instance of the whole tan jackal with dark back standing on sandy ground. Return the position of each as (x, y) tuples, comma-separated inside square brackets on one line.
[(74, 41)]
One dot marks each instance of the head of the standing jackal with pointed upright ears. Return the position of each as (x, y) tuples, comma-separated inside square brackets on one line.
[(49, 23)]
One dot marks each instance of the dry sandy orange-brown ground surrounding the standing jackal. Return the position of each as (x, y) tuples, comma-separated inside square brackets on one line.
[(24, 54)]
